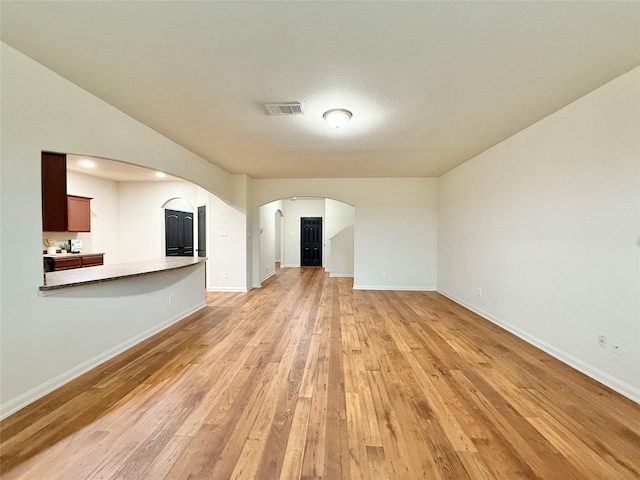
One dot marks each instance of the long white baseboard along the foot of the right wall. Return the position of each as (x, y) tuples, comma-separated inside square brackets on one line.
[(622, 388)]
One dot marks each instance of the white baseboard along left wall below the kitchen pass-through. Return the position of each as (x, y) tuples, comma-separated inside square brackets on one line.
[(21, 401)]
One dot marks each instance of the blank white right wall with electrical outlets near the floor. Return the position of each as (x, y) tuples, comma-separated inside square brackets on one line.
[(547, 224)]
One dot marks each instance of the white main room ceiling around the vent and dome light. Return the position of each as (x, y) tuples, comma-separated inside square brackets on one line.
[(430, 84)]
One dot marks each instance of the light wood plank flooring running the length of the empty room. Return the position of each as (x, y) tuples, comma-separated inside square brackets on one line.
[(306, 378)]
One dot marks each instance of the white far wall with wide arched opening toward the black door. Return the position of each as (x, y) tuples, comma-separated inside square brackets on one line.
[(395, 228)]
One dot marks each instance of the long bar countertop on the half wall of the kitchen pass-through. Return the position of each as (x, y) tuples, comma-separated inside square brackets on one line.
[(106, 273)]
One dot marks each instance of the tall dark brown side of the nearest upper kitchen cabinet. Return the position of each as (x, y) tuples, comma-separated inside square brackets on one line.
[(54, 192)]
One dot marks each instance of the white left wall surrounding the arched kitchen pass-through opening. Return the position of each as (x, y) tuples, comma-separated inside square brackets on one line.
[(44, 340)]
